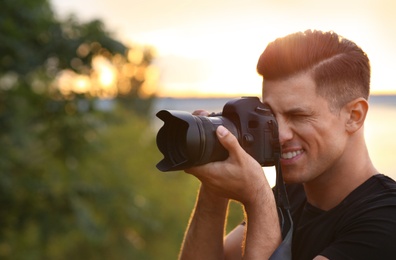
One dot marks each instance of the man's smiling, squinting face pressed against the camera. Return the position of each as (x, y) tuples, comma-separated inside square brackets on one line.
[(312, 138)]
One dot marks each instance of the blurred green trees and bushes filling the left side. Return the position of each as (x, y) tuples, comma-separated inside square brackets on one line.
[(77, 182)]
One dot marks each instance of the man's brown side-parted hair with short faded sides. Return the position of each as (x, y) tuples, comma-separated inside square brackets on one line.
[(340, 68)]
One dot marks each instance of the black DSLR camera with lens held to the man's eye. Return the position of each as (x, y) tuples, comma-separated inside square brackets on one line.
[(186, 140)]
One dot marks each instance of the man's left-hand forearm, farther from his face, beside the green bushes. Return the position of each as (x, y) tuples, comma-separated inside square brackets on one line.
[(205, 234)]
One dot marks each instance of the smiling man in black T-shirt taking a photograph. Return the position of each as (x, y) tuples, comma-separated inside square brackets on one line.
[(317, 84)]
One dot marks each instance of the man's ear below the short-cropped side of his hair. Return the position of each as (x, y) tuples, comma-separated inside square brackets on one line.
[(356, 111)]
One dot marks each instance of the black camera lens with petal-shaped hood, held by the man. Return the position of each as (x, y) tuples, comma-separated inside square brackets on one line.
[(186, 140)]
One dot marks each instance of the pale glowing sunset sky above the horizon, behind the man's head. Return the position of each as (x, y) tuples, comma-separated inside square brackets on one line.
[(211, 47)]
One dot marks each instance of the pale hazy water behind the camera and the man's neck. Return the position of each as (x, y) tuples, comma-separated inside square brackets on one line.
[(380, 126)]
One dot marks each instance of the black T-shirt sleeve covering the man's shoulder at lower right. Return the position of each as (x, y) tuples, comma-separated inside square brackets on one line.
[(366, 226)]
